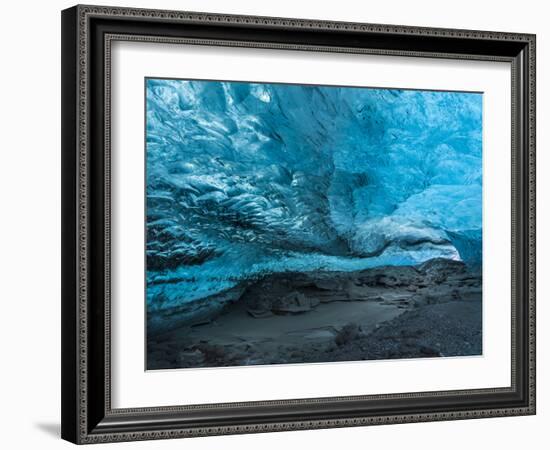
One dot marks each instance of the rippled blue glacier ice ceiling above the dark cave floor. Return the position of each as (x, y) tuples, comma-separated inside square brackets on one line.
[(245, 179)]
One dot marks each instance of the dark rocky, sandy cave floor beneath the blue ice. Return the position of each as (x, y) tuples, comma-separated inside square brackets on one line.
[(337, 317)]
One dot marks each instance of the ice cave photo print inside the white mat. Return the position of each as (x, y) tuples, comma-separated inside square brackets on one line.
[(292, 223)]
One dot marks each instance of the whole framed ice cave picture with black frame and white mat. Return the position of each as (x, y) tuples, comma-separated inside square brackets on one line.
[(281, 224)]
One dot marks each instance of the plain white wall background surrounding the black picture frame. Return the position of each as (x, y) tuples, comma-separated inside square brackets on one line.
[(30, 223)]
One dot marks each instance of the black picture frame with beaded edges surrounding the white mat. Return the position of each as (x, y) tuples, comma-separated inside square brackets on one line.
[(87, 32)]
